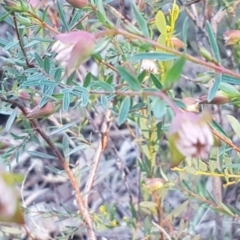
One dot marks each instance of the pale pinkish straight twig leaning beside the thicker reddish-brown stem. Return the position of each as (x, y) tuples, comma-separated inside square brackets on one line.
[(102, 142)]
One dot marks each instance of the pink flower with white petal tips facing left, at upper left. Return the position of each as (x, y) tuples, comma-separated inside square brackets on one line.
[(73, 49)]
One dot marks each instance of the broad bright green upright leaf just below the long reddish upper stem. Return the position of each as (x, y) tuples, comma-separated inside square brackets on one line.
[(174, 73)]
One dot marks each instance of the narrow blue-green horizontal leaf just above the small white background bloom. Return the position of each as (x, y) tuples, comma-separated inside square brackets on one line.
[(154, 56)]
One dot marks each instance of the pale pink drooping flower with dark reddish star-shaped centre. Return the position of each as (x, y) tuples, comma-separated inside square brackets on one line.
[(192, 135)]
